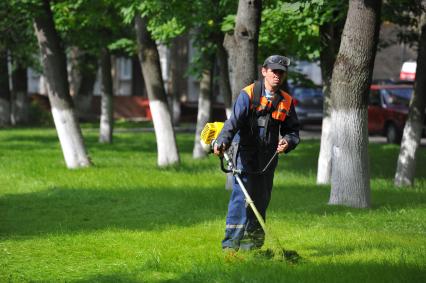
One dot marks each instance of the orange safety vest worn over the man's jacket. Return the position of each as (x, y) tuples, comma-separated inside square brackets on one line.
[(282, 109)]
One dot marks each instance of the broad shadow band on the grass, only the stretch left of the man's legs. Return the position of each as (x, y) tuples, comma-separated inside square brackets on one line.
[(62, 210)]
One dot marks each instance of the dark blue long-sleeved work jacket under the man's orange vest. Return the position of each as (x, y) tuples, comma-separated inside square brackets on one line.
[(242, 128)]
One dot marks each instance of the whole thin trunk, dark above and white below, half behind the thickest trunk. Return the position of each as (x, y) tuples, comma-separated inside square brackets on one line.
[(330, 39)]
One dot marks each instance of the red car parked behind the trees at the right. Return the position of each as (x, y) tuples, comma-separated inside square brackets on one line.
[(388, 110)]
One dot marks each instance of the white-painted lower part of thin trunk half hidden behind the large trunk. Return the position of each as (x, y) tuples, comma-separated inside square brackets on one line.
[(324, 159)]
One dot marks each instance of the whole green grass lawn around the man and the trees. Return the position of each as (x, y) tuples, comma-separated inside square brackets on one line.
[(125, 220)]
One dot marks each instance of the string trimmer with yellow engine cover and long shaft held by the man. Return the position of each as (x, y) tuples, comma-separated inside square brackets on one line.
[(208, 139)]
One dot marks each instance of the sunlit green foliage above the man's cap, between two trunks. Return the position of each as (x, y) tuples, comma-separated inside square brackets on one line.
[(292, 28)]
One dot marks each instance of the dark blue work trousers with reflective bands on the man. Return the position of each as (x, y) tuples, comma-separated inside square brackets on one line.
[(243, 231)]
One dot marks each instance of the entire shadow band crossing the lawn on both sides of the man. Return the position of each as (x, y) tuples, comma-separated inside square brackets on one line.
[(64, 210)]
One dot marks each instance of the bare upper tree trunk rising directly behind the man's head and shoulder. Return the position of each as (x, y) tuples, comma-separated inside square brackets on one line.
[(242, 45)]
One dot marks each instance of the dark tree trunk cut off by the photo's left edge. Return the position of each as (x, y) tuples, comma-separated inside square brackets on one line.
[(4, 91)]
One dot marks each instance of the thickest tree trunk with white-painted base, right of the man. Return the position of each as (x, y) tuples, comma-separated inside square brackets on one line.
[(350, 180)]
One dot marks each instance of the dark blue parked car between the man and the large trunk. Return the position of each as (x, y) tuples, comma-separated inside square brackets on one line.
[(308, 102)]
